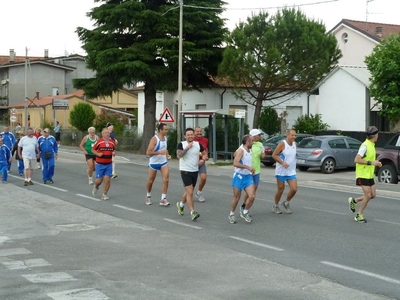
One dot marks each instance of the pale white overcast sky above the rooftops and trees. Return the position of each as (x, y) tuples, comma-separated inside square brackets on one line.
[(51, 24)]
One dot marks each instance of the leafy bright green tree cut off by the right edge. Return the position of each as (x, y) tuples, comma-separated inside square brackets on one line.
[(384, 65)]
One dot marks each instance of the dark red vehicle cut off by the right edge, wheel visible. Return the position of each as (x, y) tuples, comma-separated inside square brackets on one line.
[(389, 156)]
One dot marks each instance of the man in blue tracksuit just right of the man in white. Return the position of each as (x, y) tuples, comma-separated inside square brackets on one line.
[(48, 149)]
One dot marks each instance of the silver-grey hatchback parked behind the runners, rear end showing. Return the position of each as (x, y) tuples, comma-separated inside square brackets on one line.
[(327, 152)]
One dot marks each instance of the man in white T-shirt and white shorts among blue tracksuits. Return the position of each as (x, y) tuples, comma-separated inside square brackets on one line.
[(28, 150)]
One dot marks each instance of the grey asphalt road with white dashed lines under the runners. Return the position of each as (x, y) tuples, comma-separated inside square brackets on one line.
[(168, 256)]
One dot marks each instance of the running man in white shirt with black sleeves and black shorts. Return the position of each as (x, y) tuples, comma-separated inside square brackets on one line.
[(188, 154)]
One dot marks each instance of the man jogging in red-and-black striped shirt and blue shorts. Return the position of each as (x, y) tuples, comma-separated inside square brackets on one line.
[(104, 149)]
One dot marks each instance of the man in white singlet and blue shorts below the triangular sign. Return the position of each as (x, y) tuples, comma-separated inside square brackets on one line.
[(157, 150)]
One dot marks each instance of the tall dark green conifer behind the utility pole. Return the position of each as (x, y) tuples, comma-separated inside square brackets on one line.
[(137, 41)]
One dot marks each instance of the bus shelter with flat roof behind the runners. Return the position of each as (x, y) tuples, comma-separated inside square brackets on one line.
[(211, 115)]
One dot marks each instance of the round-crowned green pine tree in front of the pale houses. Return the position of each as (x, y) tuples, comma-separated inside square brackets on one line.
[(277, 57)]
